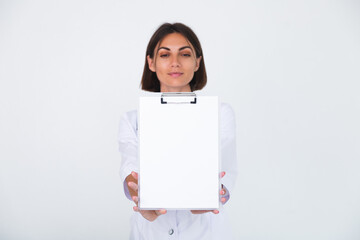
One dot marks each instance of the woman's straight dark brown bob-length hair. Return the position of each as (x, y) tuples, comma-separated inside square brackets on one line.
[(149, 81)]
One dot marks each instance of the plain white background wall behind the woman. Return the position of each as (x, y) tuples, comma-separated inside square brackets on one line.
[(290, 69)]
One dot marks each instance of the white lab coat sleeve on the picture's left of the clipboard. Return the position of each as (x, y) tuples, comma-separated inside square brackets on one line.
[(128, 147)]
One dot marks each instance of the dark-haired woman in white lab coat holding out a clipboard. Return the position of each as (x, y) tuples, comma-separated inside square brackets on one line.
[(175, 63)]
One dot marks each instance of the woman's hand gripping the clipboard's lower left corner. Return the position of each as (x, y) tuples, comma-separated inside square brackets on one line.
[(151, 215)]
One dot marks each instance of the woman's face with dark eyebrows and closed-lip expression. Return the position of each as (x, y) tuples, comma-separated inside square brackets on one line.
[(175, 63)]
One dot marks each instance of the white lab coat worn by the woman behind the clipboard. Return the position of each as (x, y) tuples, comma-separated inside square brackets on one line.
[(182, 224)]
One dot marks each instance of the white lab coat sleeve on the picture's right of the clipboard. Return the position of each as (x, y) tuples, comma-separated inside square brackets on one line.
[(228, 146)]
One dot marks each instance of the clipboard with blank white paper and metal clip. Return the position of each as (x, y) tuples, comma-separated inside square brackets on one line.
[(179, 152)]
